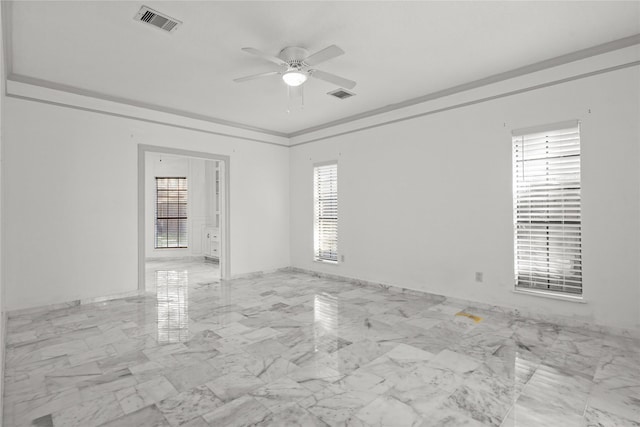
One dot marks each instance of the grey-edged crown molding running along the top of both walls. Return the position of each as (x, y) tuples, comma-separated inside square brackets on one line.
[(200, 122)]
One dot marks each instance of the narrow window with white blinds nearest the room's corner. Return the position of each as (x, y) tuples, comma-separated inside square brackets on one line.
[(325, 223)]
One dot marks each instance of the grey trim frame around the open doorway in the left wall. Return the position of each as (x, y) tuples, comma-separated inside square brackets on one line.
[(225, 261)]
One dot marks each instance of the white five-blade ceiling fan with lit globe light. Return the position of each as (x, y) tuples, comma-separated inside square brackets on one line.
[(296, 66)]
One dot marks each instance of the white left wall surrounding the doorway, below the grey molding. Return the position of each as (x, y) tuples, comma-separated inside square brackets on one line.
[(71, 201)]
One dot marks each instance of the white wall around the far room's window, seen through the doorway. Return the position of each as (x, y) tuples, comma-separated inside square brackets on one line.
[(198, 201)]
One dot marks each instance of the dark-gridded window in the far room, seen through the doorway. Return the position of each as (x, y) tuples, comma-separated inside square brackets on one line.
[(171, 213)]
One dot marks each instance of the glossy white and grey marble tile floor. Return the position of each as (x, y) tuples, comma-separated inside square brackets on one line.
[(292, 349)]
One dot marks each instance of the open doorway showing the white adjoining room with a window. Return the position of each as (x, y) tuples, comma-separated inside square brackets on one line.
[(183, 207)]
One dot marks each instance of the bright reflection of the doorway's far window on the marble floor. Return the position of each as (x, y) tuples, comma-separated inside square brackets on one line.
[(173, 306)]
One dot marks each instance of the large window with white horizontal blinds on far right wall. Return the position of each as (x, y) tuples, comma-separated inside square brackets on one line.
[(547, 217)]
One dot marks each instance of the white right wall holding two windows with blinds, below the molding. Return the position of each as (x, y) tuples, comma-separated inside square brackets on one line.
[(425, 203)]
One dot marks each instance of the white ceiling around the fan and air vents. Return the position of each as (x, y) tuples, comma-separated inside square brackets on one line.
[(395, 50)]
